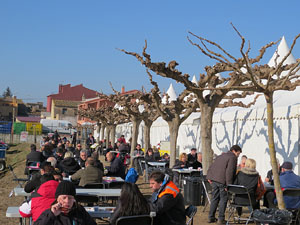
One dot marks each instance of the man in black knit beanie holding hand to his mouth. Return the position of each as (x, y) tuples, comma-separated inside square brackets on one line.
[(65, 210)]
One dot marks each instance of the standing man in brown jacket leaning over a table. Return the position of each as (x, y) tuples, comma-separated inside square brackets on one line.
[(220, 174)]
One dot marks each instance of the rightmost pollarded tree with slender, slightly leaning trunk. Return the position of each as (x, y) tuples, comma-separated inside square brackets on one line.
[(267, 80)]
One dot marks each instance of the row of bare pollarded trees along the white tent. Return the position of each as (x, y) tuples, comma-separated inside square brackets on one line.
[(221, 85)]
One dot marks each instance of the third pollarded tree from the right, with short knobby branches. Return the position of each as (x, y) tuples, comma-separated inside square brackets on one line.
[(174, 112)]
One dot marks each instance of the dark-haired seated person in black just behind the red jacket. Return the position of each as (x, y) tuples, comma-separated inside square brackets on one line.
[(35, 182)]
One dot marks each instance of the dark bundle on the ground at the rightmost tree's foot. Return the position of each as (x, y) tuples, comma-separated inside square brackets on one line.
[(272, 216)]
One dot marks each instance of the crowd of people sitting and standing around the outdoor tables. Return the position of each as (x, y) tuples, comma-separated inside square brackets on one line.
[(53, 200)]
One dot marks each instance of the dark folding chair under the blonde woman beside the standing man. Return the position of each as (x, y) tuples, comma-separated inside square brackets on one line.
[(234, 190)]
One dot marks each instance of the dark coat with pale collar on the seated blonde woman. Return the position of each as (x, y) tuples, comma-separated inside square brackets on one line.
[(248, 178)]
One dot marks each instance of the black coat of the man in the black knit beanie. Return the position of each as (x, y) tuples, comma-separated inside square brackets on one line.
[(78, 215)]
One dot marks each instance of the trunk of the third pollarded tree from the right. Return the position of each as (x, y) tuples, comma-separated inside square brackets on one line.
[(173, 130)]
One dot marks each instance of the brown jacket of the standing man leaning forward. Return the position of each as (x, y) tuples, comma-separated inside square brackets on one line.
[(223, 169)]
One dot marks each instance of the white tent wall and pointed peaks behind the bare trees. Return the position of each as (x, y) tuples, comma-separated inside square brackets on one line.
[(246, 127)]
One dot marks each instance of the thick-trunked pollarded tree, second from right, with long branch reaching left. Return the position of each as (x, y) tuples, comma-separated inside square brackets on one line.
[(223, 73)]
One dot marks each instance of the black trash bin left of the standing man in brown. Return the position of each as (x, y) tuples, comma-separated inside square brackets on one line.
[(193, 190)]
